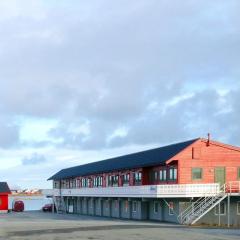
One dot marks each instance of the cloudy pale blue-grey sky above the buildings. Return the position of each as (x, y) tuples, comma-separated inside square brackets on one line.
[(87, 80)]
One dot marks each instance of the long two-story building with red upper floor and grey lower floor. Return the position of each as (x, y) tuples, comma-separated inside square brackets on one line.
[(196, 181)]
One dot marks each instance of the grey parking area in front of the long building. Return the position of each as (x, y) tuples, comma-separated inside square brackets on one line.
[(48, 226)]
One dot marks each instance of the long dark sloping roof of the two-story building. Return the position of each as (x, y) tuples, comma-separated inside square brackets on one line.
[(147, 158)]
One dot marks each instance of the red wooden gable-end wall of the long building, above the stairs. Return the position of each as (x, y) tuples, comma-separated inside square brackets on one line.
[(200, 155)]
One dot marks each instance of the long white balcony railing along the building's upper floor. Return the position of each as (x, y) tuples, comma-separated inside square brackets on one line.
[(147, 191)]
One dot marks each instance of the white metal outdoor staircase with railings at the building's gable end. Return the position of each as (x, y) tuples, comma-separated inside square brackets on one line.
[(204, 204)]
